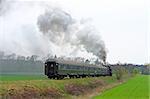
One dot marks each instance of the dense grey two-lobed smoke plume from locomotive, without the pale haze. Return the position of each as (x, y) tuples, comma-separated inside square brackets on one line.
[(61, 28)]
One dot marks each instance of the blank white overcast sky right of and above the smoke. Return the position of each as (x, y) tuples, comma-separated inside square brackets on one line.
[(123, 25)]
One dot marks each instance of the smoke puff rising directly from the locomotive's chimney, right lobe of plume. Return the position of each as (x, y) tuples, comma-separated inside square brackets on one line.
[(91, 41)]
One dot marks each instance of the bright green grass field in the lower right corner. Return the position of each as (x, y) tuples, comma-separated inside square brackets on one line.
[(135, 88)]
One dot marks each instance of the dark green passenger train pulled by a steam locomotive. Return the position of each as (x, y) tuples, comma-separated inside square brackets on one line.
[(59, 69)]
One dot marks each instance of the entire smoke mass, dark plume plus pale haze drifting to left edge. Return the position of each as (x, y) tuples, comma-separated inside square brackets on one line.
[(27, 29)]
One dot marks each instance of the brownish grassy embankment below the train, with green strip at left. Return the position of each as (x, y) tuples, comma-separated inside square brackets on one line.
[(27, 87)]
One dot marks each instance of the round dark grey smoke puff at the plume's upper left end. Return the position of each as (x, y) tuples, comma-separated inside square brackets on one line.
[(55, 23)]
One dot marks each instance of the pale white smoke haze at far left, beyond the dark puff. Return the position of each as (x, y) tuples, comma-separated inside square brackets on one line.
[(18, 30)]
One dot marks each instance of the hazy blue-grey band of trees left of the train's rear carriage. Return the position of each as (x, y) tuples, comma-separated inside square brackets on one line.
[(17, 64)]
